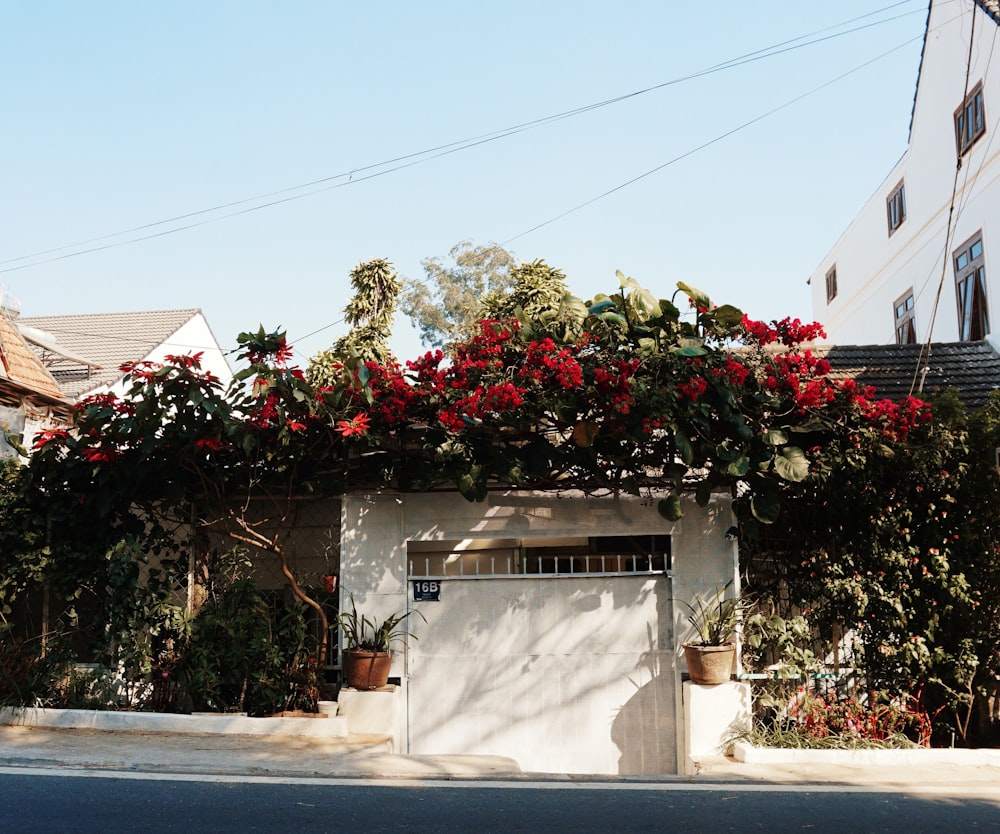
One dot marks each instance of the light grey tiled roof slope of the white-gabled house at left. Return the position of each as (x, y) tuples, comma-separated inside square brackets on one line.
[(109, 340)]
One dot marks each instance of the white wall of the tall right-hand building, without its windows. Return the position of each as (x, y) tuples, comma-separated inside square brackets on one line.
[(874, 268)]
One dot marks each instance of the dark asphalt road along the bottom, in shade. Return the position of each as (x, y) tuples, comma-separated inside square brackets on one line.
[(71, 802)]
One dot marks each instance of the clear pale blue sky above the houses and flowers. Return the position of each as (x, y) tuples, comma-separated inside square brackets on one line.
[(122, 114)]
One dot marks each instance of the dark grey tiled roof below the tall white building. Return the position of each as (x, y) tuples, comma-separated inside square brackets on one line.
[(972, 368)]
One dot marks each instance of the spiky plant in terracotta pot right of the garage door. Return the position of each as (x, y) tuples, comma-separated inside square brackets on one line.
[(711, 657)]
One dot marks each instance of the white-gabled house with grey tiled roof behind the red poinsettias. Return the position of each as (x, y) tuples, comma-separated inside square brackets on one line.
[(85, 352)]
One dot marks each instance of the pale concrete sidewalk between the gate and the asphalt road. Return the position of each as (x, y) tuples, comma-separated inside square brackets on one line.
[(358, 756)]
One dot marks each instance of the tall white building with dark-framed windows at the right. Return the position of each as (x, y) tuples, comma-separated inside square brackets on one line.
[(919, 262)]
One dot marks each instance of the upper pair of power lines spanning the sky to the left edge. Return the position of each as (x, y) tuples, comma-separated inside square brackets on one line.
[(408, 160)]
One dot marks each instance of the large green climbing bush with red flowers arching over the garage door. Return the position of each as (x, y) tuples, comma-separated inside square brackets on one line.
[(622, 393)]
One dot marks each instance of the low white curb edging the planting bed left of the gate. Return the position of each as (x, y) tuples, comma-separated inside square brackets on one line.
[(81, 719)]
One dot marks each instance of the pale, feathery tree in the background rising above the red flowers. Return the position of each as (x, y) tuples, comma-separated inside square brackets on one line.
[(449, 302)]
